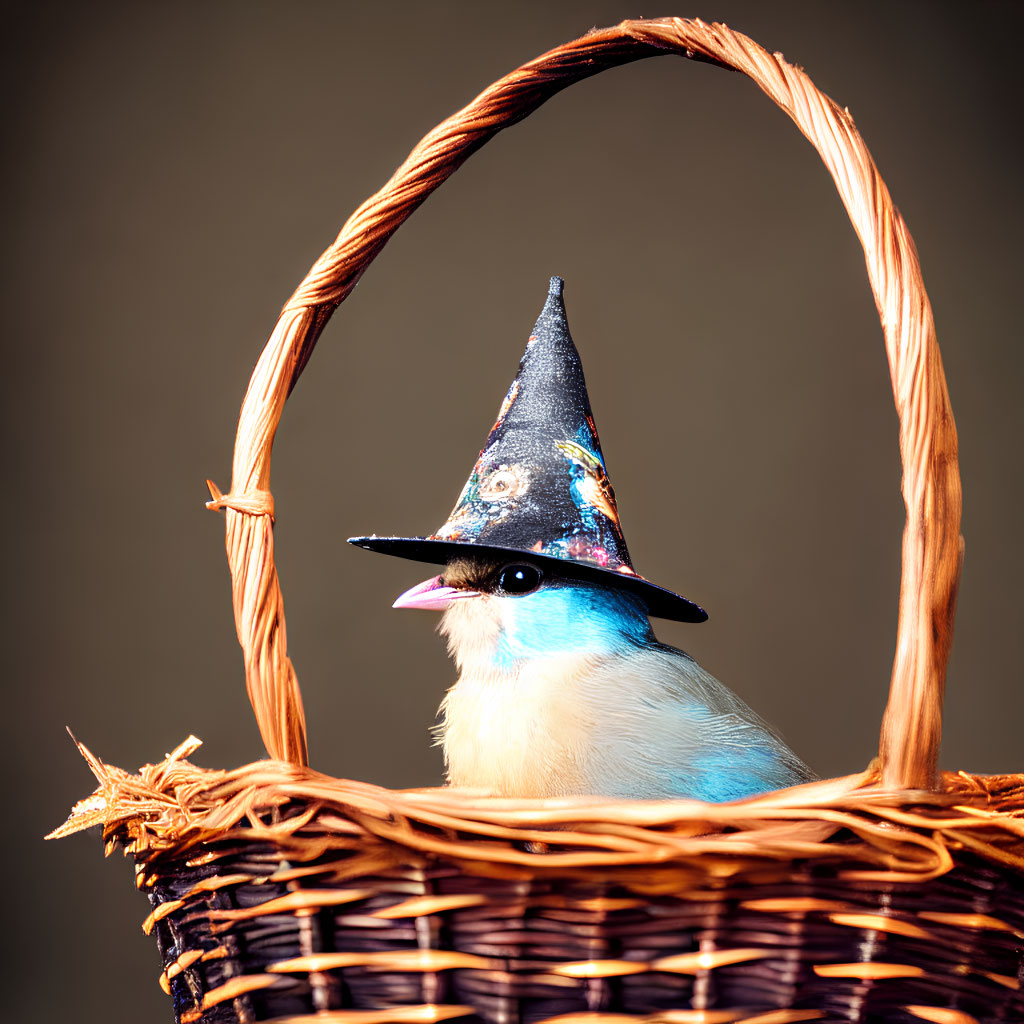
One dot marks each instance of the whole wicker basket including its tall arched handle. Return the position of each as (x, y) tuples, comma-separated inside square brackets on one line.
[(891, 895)]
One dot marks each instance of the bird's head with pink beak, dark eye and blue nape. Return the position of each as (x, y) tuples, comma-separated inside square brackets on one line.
[(499, 613)]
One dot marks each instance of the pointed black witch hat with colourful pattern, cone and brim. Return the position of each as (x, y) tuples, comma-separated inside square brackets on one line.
[(540, 488)]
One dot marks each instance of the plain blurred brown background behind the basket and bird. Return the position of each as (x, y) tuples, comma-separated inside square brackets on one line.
[(173, 170)]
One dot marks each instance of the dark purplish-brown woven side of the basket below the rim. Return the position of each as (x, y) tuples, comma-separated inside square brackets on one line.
[(429, 941)]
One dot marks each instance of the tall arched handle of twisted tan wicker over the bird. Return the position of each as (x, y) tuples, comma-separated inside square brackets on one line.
[(932, 546)]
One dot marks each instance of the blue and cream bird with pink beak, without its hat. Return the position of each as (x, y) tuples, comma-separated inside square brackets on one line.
[(564, 691)]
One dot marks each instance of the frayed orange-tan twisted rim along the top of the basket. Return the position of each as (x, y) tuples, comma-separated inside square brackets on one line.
[(173, 807)]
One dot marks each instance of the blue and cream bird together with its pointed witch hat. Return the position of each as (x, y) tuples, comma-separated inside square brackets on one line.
[(564, 690)]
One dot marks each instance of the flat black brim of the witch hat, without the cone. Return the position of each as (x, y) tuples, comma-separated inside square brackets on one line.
[(661, 604)]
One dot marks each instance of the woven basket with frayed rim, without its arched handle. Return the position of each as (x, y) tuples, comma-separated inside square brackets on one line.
[(281, 894)]
